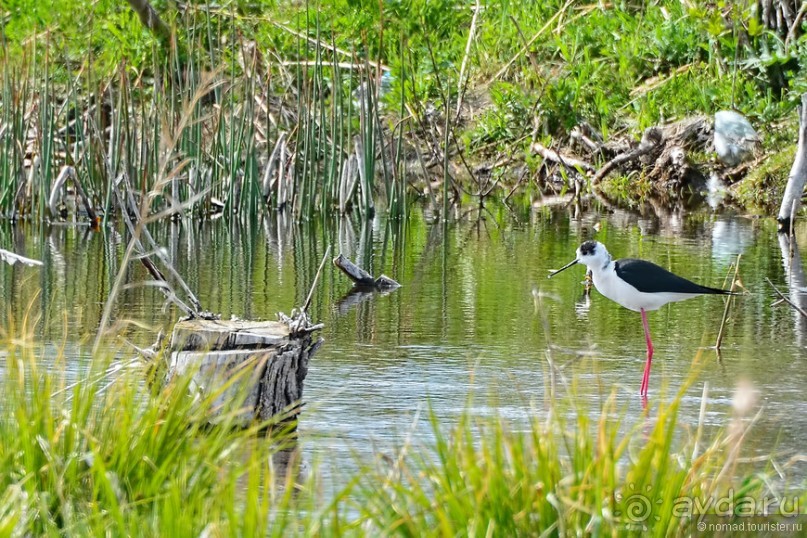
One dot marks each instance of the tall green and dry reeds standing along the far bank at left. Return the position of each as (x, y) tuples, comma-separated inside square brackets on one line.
[(253, 135)]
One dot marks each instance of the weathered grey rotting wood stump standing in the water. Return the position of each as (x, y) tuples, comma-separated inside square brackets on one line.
[(253, 370)]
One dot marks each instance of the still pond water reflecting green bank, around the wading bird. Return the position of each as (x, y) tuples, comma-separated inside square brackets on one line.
[(476, 315)]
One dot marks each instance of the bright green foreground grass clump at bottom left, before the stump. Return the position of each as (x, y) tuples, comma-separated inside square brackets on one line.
[(107, 454)]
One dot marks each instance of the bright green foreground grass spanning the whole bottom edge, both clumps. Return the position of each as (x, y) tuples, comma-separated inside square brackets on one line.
[(108, 455)]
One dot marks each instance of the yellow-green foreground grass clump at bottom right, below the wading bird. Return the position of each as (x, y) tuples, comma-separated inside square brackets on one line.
[(564, 476)]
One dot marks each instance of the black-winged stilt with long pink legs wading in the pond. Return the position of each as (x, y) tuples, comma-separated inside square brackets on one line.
[(637, 285)]
